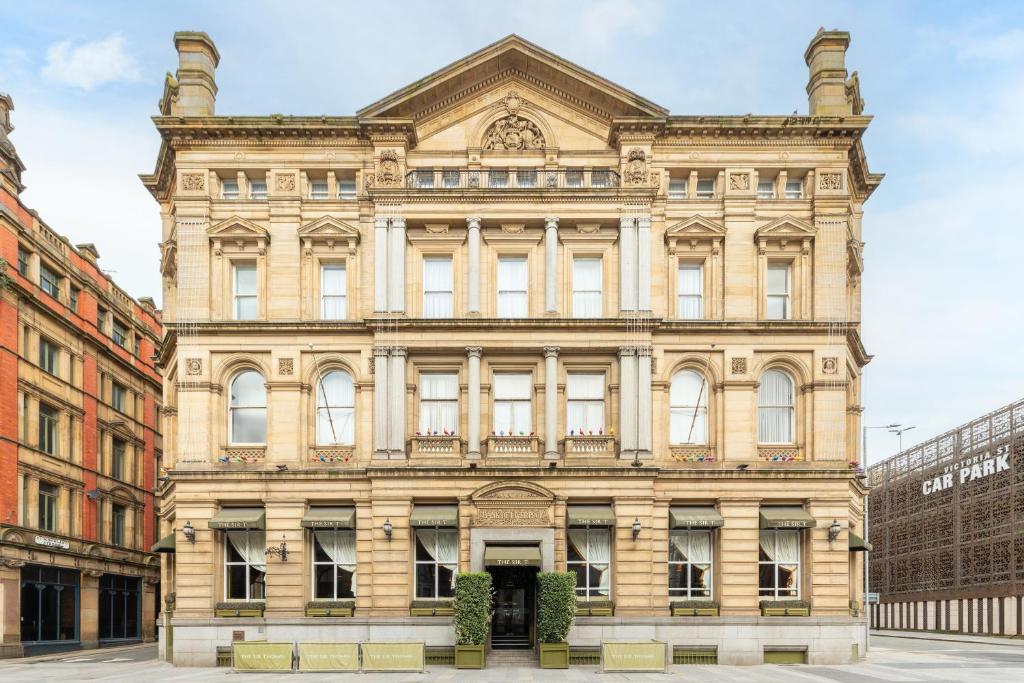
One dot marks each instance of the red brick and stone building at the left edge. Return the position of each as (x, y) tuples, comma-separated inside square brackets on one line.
[(80, 439)]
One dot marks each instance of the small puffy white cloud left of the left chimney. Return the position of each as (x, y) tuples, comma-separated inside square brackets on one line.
[(91, 65)]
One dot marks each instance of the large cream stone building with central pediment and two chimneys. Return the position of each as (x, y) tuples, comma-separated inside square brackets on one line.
[(514, 318)]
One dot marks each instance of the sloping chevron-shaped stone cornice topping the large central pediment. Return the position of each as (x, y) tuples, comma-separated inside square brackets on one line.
[(514, 58)]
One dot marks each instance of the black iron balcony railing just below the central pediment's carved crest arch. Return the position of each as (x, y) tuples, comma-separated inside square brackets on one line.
[(522, 179)]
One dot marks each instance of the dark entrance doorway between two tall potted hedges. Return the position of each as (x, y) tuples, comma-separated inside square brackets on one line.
[(516, 594)]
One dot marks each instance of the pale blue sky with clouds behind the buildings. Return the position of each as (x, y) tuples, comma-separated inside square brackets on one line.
[(943, 303)]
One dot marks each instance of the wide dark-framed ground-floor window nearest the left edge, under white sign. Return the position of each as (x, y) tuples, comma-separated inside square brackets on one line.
[(50, 605)]
